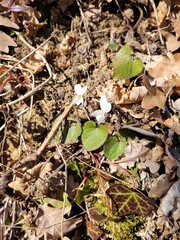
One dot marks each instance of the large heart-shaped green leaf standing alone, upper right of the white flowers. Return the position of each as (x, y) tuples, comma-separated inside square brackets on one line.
[(124, 66)]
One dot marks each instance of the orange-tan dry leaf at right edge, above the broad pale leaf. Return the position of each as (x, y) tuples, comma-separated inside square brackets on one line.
[(172, 42)]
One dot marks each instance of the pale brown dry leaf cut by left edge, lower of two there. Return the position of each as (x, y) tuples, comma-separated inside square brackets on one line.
[(5, 42)]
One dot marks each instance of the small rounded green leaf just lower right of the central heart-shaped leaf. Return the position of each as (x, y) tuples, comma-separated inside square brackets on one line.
[(113, 148)]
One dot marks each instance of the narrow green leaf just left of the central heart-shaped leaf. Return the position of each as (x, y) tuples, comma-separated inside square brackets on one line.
[(73, 133)]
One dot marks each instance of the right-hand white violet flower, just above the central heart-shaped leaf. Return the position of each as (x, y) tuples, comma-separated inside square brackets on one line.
[(105, 108)]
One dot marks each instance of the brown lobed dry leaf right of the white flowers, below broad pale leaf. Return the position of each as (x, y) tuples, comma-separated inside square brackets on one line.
[(150, 101)]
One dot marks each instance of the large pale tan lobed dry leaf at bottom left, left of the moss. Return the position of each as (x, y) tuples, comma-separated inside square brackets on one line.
[(50, 222)]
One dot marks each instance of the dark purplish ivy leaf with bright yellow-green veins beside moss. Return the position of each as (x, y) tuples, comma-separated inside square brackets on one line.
[(126, 201)]
